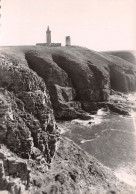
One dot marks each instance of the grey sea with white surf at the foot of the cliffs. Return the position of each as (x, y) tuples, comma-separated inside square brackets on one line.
[(110, 138)]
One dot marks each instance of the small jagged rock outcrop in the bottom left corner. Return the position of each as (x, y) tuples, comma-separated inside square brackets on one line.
[(14, 172)]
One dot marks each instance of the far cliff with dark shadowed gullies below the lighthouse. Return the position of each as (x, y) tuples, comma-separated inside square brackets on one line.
[(78, 78)]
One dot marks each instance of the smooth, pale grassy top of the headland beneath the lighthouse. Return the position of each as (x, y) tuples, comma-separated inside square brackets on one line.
[(74, 52)]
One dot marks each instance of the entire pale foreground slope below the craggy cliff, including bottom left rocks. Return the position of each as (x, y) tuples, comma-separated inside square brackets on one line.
[(71, 171)]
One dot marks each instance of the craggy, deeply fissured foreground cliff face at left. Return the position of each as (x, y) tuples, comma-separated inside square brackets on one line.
[(27, 120)]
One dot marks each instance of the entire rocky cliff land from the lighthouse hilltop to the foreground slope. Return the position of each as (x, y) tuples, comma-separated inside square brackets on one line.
[(33, 155)]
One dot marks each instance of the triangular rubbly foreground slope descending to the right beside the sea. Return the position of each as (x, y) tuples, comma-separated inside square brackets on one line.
[(78, 173)]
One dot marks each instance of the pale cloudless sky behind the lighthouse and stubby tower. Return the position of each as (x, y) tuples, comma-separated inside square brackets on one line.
[(96, 24)]
